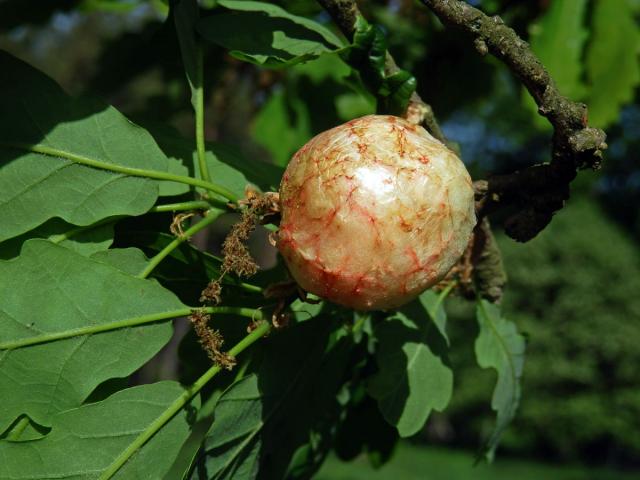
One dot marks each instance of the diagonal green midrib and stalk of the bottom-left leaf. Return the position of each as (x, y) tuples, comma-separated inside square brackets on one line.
[(180, 402)]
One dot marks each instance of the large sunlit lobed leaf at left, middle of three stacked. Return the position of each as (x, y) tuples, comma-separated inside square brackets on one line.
[(55, 291)]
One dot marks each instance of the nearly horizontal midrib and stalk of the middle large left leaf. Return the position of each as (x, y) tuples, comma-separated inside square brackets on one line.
[(251, 313)]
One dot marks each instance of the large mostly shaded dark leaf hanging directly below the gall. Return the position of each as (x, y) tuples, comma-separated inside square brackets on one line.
[(285, 407)]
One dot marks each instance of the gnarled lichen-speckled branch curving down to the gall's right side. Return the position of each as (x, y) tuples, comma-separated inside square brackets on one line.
[(540, 190)]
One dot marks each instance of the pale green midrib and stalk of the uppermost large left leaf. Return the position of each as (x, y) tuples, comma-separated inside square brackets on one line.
[(134, 172)]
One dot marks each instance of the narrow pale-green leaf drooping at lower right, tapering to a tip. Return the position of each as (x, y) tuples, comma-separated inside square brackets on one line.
[(501, 347)]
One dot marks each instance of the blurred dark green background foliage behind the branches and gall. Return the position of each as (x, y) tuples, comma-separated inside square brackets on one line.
[(574, 290)]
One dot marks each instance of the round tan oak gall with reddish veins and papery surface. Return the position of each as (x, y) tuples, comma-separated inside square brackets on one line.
[(374, 212)]
